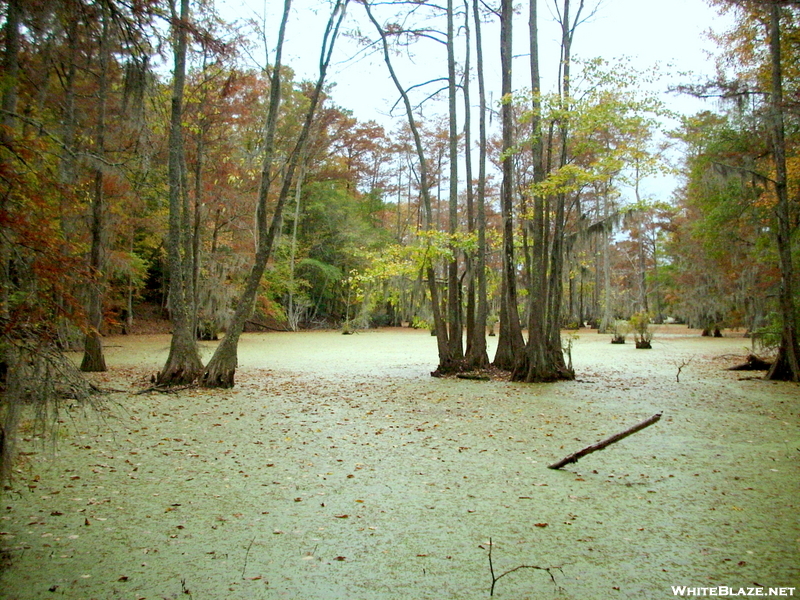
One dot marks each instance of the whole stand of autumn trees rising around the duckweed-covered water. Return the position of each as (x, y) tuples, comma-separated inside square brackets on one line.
[(144, 160)]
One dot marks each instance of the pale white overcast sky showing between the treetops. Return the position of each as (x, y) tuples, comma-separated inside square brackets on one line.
[(671, 33)]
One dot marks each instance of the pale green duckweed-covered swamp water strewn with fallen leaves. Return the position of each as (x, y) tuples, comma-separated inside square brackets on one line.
[(337, 468)]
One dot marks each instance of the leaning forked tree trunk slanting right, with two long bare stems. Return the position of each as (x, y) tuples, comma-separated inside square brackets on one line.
[(221, 369)]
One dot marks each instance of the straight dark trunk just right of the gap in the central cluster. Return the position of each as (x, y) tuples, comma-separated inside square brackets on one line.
[(510, 343)]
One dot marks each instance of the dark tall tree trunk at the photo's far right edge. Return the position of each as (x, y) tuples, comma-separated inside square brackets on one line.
[(787, 364)]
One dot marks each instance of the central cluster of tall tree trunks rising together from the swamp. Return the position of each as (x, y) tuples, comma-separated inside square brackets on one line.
[(541, 357)]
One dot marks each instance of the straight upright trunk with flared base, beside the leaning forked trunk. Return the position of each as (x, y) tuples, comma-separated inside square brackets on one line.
[(183, 363)]
